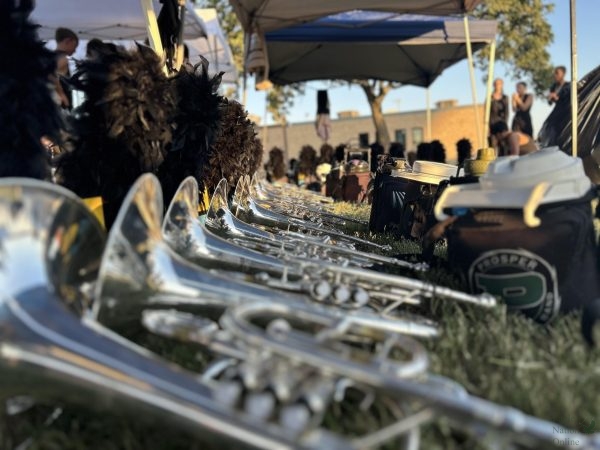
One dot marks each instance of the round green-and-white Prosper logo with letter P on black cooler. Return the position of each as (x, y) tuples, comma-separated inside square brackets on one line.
[(524, 280)]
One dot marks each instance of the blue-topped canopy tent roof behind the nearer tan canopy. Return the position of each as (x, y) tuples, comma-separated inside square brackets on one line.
[(410, 49)]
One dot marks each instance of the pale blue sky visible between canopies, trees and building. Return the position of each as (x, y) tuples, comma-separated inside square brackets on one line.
[(454, 83)]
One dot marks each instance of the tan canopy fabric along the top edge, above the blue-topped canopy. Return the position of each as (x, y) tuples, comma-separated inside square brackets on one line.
[(269, 15)]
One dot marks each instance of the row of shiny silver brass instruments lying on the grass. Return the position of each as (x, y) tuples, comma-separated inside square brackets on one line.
[(287, 304)]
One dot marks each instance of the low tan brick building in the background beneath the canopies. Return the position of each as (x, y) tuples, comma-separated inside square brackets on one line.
[(449, 123)]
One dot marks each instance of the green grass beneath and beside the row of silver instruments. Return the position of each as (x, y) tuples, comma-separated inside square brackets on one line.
[(548, 372)]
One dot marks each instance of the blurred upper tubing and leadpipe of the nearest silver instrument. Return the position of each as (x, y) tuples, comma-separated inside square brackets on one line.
[(289, 335)]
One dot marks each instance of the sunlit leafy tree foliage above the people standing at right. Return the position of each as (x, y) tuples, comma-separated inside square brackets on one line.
[(523, 38)]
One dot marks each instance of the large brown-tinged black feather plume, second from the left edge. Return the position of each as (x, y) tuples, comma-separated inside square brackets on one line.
[(123, 128)]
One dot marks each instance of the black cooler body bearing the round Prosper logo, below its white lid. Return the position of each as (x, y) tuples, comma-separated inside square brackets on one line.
[(539, 271)]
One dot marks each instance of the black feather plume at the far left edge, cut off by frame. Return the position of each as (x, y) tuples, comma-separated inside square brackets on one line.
[(27, 110)]
